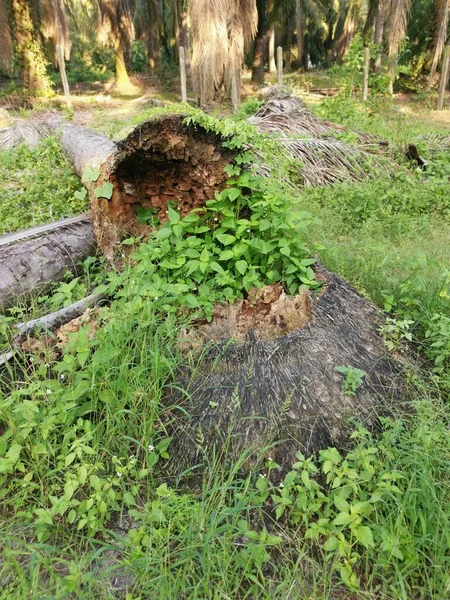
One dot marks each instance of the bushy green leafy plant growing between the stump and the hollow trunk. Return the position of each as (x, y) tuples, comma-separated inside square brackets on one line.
[(246, 237)]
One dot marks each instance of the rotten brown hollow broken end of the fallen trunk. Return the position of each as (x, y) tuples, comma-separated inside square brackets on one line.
[(160, 162)]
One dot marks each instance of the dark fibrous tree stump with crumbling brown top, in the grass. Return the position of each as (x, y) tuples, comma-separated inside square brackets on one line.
[(283, 390)]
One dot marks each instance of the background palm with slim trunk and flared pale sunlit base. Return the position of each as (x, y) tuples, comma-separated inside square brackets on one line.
[(115, 27)]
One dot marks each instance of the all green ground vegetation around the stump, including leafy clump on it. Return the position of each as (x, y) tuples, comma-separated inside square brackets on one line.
[(88, 509)]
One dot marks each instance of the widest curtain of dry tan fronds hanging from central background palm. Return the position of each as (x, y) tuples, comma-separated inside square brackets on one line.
[(220, 31)]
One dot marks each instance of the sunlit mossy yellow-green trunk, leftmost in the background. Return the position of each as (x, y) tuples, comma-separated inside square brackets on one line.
[(29, 52)]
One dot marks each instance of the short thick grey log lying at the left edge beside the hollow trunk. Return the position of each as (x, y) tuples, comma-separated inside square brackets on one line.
[(31, 259)]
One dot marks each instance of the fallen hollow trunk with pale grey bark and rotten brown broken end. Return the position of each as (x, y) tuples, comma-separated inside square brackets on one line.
[(160, 161)]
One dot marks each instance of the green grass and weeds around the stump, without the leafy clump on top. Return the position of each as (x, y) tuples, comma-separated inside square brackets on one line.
[(85, 442)]
